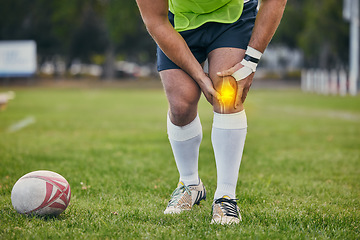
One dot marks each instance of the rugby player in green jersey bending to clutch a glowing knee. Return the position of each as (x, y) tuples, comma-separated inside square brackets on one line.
[(231, 35)]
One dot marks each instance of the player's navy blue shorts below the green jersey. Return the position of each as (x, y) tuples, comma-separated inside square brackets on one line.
[(212, 35)]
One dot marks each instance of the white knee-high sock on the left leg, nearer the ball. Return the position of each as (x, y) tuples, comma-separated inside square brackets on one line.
[(185, 143)]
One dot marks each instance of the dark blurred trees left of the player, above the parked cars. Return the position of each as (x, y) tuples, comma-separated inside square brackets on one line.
[(78, 29)]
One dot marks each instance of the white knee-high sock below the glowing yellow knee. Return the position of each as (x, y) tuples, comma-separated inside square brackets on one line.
[(228, 139)]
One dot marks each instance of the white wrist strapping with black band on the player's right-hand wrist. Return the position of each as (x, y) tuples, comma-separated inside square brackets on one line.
[(250, 62)]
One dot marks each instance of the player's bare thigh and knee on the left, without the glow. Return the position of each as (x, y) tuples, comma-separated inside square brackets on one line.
[(183, 95)]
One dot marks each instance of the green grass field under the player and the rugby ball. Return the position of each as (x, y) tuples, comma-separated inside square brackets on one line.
[(299, 177)]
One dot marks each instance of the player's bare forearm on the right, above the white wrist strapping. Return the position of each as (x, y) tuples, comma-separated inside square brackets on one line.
[(267, 21)]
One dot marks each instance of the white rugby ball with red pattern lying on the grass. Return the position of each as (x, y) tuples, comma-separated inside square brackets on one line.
[(41, 193)]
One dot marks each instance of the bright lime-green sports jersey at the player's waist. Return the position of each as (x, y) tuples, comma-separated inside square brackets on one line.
[(190, 14)]
